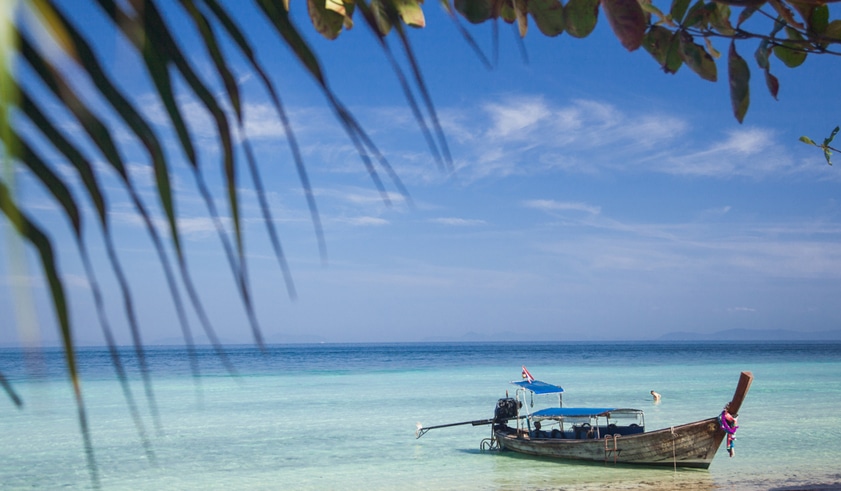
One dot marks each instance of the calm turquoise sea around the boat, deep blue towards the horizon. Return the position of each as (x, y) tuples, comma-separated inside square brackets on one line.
[(343, 416)]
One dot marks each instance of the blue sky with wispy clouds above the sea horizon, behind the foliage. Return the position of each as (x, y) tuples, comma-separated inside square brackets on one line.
[(594, 197)]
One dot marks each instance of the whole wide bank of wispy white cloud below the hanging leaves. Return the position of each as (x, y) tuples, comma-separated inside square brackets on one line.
[(532, 135)]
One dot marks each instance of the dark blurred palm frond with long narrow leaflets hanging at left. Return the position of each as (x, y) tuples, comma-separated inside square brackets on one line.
[(142, 24)]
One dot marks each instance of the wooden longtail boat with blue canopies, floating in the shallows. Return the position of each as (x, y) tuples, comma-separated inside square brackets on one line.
[(603, 434)]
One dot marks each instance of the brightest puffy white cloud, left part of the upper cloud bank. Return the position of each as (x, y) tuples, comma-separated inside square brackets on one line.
[(531, 136)]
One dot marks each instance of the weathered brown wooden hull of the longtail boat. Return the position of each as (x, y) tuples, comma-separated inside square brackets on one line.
[(689, 445)]
